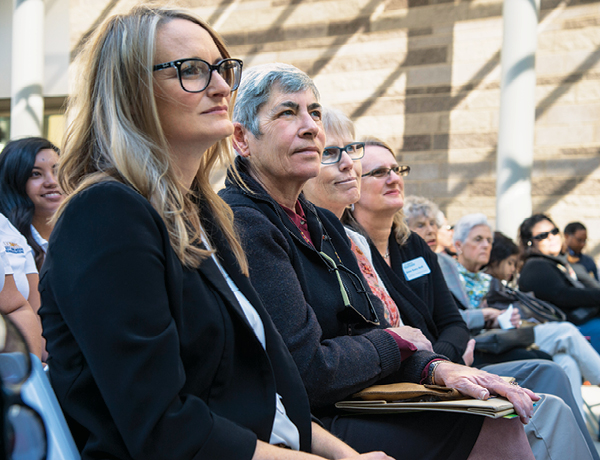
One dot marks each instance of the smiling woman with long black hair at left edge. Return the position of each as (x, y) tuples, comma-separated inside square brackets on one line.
[(29, 190)]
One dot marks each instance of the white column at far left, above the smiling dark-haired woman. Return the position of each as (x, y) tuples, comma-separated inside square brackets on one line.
[(27, 78)]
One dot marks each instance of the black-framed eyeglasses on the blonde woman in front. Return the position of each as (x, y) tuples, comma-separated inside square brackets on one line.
[(195, 74)]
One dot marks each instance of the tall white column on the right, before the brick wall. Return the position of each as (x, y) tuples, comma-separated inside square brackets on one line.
[(517, 115)]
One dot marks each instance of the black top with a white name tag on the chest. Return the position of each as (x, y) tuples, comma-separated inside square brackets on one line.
[(424, 302)]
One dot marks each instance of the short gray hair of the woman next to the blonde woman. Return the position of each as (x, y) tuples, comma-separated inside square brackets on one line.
[(256, 87)]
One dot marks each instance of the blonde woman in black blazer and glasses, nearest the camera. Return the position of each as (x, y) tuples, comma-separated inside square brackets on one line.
[(159, 346)]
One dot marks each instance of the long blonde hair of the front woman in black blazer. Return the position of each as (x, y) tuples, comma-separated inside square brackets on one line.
[(115, 133)]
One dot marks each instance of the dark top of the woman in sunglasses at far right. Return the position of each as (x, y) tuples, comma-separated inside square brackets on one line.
[(547, 278)]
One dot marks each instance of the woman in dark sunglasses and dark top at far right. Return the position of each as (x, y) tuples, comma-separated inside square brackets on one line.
[(547, 274)]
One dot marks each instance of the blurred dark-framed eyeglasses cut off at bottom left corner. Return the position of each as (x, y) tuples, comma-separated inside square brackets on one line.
[(23, 433)]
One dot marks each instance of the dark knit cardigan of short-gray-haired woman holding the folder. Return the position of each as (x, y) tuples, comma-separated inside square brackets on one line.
[(337, 352)]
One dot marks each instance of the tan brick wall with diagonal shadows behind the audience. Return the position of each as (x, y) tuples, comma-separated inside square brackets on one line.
[(424, 76)]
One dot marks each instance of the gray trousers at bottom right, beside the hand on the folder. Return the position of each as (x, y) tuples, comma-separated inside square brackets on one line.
[(557, 430)]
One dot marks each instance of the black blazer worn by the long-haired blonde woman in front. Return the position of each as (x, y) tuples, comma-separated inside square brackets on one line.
[(150, 359)]
